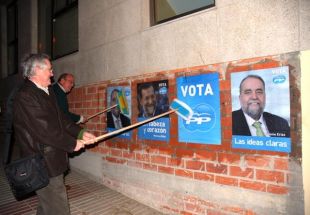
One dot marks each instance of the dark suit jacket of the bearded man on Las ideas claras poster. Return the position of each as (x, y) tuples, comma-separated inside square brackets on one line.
[(277, 126)]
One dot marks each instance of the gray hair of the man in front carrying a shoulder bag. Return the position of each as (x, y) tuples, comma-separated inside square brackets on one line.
[(30, 61)]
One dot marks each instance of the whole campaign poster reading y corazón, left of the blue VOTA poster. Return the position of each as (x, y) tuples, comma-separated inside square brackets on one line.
[(152, 101)]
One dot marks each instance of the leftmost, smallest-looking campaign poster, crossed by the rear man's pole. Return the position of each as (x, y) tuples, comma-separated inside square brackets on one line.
[(120, 116)]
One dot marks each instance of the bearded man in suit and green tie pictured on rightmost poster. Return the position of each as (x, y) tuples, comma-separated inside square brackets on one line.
[(251, 120)]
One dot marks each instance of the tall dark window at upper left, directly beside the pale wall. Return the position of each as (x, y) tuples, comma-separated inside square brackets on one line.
[(65, 28)]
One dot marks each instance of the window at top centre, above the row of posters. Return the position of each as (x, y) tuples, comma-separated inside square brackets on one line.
[(165, 10)]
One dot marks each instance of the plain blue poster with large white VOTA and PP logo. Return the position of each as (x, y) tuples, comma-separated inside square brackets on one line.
[(202, 94)]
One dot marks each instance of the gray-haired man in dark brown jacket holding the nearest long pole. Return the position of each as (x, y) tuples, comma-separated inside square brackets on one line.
[(41, 127)]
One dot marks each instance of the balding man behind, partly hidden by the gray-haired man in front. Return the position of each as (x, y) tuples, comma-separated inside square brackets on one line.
[(62, 88)]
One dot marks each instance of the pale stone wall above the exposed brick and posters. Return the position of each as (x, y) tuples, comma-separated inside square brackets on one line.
[(116, 40)]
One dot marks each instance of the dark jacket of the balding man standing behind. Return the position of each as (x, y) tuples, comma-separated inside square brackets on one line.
[(62, 101)]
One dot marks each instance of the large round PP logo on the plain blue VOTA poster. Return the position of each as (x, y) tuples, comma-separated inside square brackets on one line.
[(203, 119)]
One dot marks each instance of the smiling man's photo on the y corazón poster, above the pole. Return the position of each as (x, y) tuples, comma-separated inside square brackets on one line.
[(152, 98)]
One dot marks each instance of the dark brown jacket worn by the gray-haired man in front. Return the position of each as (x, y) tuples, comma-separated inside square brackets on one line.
[(37, 120)]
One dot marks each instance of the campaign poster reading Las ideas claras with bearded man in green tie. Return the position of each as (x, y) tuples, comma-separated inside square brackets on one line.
[(261, 109)]
